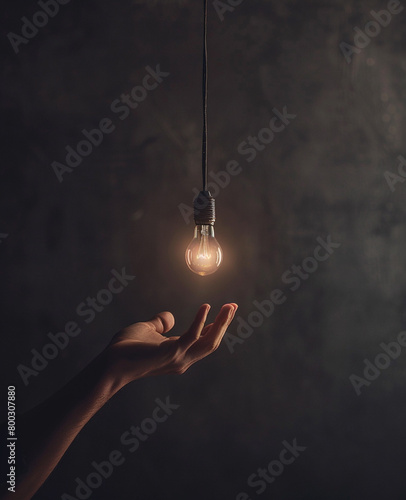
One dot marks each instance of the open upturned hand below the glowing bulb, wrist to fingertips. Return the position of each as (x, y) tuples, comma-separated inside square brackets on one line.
[(142, 350)]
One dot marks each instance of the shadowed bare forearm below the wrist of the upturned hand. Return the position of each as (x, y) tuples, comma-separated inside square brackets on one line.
[(47, 431)]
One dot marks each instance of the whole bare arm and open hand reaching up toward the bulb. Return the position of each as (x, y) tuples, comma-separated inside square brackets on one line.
[(138, 351)]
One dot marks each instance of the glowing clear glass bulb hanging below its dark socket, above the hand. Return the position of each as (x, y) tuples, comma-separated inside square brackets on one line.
[(204, 254)]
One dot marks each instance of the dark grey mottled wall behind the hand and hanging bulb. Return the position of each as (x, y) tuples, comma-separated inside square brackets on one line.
[(323, 175)]
